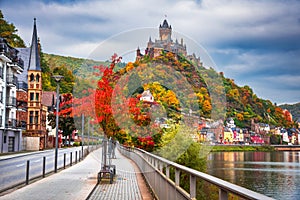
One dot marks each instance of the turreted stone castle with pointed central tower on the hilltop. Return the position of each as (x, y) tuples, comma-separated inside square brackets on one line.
[(165, 43)]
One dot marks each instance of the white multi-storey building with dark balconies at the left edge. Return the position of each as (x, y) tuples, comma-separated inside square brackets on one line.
[(10, 128)]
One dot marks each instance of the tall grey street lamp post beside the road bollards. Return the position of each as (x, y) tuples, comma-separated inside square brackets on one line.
[(57, 79)]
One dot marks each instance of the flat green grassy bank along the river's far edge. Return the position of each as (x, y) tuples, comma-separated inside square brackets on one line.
[(228, 148)]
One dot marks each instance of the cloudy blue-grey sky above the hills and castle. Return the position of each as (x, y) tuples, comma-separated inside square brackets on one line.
[(256, 43)]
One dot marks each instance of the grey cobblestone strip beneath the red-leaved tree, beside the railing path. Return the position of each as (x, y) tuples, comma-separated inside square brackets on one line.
[(125, 185)]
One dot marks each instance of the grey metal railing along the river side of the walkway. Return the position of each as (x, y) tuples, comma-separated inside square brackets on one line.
[(157, 172)]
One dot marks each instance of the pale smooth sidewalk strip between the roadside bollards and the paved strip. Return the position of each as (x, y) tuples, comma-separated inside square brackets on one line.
[(74, 183)]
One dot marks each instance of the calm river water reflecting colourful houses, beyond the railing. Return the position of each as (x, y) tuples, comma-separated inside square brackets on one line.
[(275, 174)]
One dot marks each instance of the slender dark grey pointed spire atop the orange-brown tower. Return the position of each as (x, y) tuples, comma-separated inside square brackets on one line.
[(34, 60)]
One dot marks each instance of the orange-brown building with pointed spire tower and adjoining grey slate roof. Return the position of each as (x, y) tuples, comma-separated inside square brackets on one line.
[(35, 135)]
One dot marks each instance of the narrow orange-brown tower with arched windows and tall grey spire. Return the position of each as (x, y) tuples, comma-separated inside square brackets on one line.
[(34, 78)]
